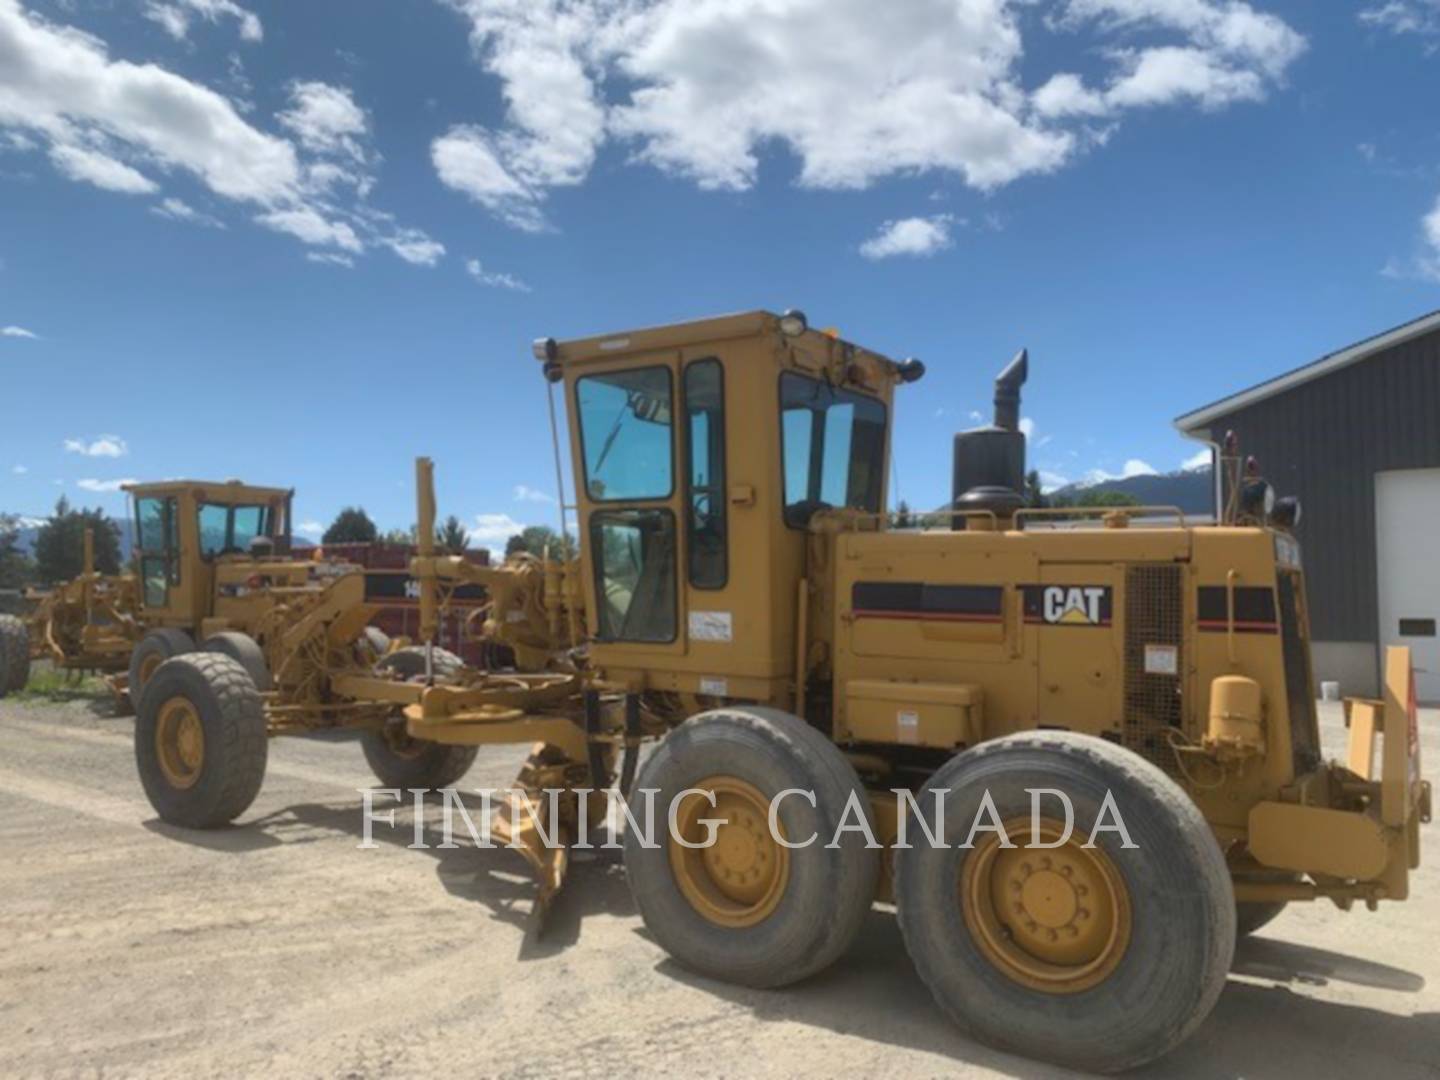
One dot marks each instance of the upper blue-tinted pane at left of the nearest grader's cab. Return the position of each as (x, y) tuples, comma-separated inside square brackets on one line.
[(626, 438)]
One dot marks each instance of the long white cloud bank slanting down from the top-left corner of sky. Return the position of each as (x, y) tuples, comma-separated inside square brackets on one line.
[(120, 126)]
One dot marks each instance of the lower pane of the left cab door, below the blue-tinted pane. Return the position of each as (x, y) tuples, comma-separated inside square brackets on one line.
[(634, 574)]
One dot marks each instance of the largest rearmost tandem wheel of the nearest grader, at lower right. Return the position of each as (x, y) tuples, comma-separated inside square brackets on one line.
[(1098, 958)]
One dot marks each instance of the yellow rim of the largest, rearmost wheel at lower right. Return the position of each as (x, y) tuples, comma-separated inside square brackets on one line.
[(1052, 919)]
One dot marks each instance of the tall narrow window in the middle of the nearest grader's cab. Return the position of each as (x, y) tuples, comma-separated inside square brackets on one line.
[(705, 463)]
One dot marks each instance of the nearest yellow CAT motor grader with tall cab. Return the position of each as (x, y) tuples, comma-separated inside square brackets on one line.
[(1078, 757)]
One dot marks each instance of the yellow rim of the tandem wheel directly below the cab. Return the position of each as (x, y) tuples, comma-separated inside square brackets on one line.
[(741, 878)]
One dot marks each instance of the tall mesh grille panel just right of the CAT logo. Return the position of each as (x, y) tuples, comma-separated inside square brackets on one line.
[(1154, 616)]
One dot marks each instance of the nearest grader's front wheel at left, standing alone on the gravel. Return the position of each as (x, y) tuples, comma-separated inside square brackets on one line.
[(201, 741)]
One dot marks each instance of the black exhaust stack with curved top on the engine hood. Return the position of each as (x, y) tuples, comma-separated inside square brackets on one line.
[(990, 463)]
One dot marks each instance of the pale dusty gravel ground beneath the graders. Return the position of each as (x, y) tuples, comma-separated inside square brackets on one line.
[(129, 948)]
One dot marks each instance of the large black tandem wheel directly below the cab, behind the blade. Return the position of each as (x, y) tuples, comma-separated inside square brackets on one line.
[(748, 909)]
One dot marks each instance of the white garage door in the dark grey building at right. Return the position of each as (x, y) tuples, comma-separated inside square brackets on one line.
[(1408, 526)]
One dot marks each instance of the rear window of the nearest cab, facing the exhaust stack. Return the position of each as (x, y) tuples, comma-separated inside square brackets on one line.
[(833, 449)]
